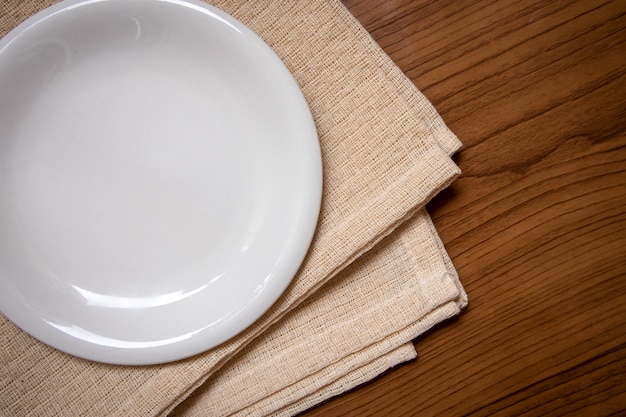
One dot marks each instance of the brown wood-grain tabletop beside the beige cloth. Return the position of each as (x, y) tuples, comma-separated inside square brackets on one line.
[(536, 225)]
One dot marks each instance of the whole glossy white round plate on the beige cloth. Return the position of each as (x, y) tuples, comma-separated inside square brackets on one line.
[(160, 178)]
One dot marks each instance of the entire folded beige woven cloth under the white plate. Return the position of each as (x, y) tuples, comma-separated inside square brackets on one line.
[(346, 316)]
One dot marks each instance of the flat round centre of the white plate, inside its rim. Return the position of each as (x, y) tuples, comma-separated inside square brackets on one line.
[(132, 176)]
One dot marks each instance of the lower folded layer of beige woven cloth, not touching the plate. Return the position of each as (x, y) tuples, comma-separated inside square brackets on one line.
[(353, 328)]
